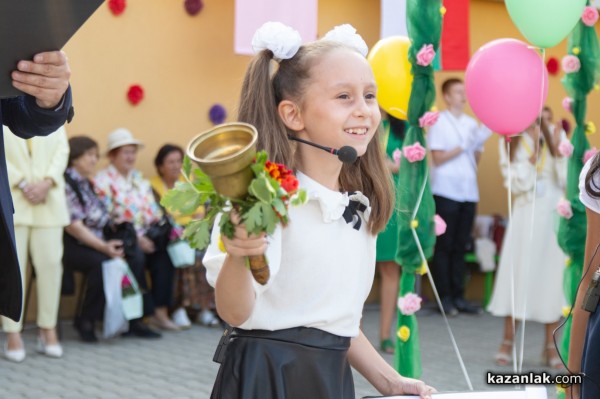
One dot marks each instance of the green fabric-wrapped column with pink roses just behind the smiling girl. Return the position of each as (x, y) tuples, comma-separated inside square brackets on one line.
[(424, 22)]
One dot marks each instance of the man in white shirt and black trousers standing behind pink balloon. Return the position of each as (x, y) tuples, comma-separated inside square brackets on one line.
[(456, 142)]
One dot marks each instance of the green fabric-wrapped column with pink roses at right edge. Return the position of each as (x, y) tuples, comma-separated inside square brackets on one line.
[(584, 55)]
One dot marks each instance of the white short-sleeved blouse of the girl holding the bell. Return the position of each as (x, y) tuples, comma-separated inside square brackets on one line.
[(321, 267)]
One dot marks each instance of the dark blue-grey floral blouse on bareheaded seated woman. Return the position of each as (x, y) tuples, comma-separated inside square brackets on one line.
[(89, 209)]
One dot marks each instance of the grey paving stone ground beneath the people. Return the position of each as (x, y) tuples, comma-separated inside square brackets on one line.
[(179, 365)]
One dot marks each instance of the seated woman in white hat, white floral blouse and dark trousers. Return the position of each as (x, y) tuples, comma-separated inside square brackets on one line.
[(128, 197)]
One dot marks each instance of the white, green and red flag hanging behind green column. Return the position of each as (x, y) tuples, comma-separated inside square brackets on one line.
[(454, 48)]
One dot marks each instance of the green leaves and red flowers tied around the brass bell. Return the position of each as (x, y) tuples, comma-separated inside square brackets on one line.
[(271, 191)]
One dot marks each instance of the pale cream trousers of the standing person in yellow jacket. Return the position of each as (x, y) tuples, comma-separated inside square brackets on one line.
[(45, 246)]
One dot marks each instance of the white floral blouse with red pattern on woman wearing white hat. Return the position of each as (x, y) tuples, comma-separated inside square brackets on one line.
[(128, 198)]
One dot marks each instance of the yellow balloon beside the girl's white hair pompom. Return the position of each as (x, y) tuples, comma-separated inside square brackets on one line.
[(389, 61)]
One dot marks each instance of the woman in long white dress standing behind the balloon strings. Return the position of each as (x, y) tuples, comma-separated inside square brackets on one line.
[(531, 265)]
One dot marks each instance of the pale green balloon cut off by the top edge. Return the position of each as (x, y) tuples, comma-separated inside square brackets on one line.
[(545, 23)]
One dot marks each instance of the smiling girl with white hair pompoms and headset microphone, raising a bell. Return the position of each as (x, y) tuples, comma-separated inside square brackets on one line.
[(298, 335)]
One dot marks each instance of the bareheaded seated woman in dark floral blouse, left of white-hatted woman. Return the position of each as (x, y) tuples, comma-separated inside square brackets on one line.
[(85, 248)]
